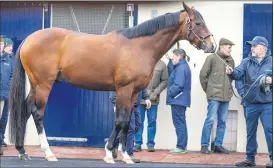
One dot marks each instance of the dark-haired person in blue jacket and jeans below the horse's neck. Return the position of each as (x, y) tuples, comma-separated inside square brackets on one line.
[(178, 96)]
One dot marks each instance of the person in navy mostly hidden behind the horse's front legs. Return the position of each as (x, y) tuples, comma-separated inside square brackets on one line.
[(134, 123)]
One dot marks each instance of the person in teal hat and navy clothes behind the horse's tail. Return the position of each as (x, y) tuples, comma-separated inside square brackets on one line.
[(6, 61)]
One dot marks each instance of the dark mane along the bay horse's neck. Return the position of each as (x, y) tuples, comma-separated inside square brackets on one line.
[(152, 26)]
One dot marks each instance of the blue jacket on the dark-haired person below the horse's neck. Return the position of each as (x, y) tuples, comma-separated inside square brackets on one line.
[(179, 85)]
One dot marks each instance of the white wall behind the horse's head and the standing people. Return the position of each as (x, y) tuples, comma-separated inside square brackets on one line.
[(224, 19)]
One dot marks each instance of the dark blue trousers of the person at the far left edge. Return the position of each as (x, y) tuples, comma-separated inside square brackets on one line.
[(4, 119)]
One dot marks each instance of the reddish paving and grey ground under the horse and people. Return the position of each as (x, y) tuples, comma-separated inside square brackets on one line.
[(92, 157)]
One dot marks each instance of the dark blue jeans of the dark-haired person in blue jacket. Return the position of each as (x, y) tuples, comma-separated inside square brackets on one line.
[(179, 122)]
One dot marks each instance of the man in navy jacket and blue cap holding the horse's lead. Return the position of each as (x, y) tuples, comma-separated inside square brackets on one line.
[(256, 71)]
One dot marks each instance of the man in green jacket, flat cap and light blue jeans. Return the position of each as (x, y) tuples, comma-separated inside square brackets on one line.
[(218, 89)]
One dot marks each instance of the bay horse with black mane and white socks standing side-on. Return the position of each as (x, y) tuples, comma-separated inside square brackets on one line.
[(121, 61)]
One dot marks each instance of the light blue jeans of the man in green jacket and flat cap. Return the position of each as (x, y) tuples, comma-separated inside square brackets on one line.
[(215, 107)]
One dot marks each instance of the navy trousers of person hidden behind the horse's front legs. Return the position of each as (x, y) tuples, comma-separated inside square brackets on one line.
[(133, 127)]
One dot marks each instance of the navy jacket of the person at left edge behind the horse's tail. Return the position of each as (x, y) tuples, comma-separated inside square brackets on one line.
[(6, 66)]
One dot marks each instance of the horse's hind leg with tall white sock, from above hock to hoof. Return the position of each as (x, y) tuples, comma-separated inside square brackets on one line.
[(38, 104)]
